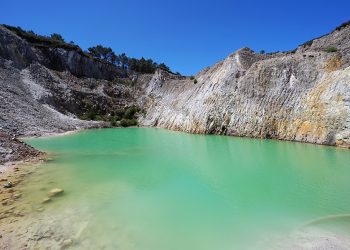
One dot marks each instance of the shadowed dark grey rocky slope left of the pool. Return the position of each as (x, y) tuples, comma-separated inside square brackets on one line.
[(45, 89)]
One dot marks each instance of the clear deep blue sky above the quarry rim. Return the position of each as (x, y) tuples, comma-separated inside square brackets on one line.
[(187, 35)]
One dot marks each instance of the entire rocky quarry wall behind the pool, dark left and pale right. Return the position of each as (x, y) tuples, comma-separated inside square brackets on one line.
[(301, 95)]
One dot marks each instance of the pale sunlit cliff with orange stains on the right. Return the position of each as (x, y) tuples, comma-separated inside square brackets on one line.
[(302, 95)]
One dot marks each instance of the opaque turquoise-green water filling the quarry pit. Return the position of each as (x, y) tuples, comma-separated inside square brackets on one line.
[(151, 189)]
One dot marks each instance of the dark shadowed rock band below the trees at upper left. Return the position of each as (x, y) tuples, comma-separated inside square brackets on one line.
[(23, 53)]
